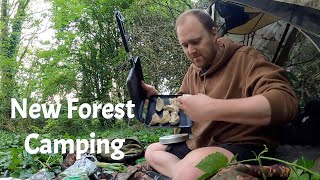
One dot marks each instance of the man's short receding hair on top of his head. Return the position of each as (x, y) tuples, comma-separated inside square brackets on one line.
[(203, 17)]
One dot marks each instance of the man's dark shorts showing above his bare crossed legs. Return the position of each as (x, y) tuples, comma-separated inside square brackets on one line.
[(243, 151)]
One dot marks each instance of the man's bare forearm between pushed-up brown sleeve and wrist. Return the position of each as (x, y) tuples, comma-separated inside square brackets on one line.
[(253, 110)]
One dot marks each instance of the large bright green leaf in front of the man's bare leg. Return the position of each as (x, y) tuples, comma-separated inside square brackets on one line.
[(213, 163)]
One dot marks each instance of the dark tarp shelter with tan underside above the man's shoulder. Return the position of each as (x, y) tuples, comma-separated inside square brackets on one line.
[(247, 16)]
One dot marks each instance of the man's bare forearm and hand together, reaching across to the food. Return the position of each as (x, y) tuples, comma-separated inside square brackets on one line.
[(253, 110)]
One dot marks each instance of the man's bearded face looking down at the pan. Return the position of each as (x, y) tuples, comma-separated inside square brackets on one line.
[(198, 44)]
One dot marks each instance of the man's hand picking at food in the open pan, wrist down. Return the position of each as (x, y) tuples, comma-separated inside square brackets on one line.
[(197, 107)]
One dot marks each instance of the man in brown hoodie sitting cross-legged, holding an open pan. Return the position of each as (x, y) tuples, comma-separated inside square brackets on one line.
[(237, 96)]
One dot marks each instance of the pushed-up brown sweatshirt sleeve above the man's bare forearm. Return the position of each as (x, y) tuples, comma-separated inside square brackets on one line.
[(267, 79)]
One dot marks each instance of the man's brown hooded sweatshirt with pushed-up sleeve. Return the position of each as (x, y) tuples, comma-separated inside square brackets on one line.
[(238, 72)]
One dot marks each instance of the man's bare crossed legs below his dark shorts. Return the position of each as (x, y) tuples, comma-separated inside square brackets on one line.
[(171, 166)]
